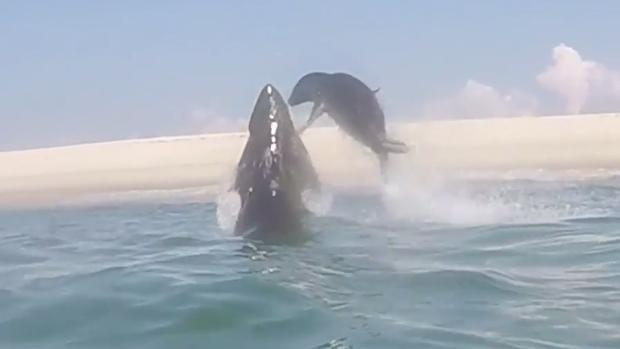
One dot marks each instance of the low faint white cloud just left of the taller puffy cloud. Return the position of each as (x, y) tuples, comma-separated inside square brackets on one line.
[(476, 99)]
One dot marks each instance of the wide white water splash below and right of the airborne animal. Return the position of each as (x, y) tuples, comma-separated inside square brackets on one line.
[(422, 195)]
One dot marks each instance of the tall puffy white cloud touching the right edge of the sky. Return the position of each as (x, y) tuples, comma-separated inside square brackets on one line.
[(581, 83)]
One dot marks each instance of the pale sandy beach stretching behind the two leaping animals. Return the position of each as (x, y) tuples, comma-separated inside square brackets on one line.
[(450, 147)]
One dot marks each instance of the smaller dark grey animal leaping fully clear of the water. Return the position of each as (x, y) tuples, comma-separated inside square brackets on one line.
[(352, 105)]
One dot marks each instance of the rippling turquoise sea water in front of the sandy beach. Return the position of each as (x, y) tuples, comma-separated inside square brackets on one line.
[(510, 264)]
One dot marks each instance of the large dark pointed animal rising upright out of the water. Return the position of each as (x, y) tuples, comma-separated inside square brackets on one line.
[(274, 170)]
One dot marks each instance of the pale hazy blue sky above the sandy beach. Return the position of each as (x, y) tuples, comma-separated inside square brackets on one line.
[(79, 71)]
